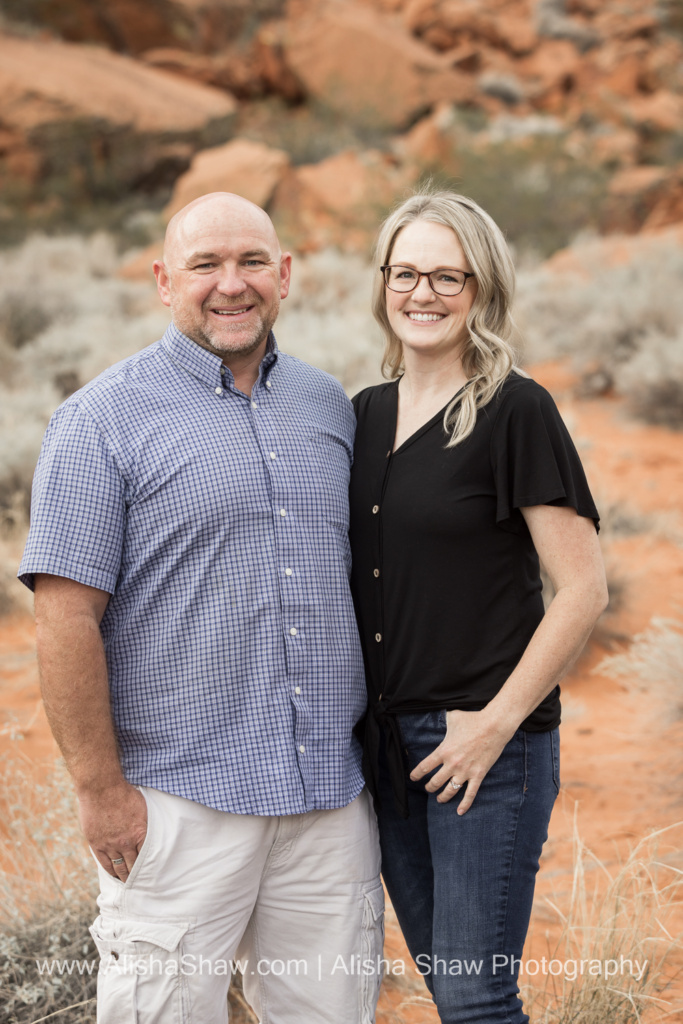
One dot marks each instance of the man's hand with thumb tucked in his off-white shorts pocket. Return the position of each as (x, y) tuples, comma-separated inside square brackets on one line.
[(115, 824)]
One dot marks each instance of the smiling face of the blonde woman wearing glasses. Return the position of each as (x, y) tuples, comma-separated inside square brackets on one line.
[(424, 322)]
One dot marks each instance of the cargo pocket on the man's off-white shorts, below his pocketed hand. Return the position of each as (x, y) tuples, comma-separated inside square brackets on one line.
[(141, 976)]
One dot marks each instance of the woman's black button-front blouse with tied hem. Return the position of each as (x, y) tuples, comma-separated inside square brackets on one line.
[(446, 577)]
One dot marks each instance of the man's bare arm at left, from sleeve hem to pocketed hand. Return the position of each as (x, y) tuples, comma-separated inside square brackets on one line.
[(76, 695)]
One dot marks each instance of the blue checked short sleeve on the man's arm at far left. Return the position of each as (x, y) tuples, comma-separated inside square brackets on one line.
[(77, 505)]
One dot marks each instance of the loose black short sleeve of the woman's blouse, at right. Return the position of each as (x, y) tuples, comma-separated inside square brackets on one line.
[(534, 459)]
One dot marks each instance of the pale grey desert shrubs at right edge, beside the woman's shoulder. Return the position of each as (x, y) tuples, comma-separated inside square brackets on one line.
[(620, 324)]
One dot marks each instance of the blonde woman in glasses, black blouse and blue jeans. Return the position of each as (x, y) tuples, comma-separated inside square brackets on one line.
[(464, 477)]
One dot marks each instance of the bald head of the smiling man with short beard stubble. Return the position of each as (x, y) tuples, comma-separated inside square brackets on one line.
[(224, 274)]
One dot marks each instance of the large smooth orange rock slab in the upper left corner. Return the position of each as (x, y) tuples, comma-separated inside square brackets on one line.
[(99, 119)]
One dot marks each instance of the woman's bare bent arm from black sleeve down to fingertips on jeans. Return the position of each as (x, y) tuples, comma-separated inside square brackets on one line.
[(569, 548)]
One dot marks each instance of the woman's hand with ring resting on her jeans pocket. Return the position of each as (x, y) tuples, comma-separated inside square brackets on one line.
[(472, 746)]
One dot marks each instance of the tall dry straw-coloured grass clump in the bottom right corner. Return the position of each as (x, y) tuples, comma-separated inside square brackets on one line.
[(623, 916)]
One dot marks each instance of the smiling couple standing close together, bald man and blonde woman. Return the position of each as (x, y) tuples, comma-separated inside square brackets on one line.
[(201, 664)]
